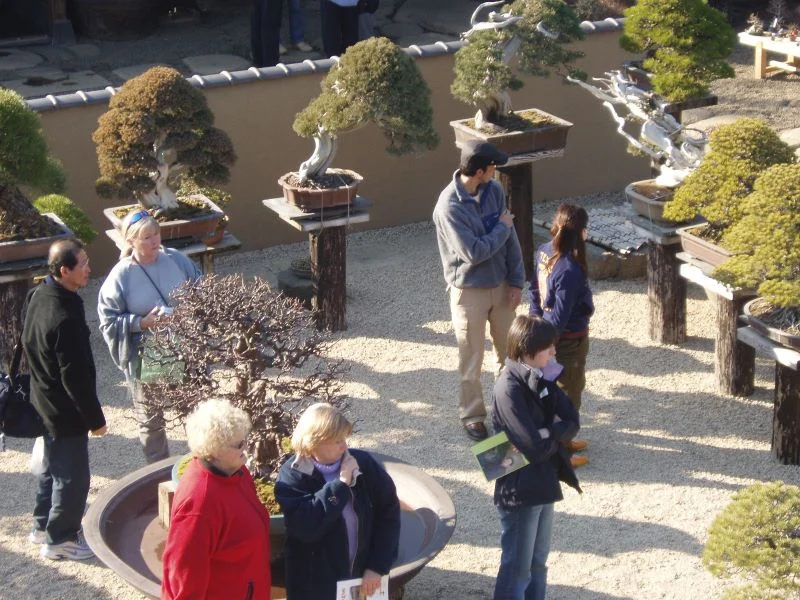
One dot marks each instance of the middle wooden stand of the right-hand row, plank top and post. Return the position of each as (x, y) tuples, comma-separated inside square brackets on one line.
[(734, 361)]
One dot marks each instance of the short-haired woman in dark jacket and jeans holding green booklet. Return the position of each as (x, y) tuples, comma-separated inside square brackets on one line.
[(540, 421)]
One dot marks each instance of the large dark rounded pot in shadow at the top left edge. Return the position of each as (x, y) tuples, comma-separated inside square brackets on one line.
[(114, 19)]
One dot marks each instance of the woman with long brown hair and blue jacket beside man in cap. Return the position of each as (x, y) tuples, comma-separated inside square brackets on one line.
[(560, 294)]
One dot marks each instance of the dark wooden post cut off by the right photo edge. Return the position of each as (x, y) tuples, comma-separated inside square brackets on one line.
[(786, 415)]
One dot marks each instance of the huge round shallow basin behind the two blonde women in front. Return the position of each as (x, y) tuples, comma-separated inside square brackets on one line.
[(123, 530)]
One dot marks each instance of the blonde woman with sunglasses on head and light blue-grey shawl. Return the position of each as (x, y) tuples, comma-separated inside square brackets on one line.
[(135, 294)]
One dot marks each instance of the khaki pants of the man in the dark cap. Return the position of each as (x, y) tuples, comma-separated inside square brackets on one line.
[(470, 309)]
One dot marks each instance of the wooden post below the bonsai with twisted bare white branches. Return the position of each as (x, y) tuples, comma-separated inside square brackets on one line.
[(666, 290)]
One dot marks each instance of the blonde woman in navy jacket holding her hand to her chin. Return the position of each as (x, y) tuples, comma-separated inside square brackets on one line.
[(340, 508)]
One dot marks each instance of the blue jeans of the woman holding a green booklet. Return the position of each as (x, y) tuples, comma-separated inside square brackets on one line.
[(525, 544)]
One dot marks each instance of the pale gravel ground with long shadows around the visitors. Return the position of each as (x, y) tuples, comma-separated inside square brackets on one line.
[(667, 451)]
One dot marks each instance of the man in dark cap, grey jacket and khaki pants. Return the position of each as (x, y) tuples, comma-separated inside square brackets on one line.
[(483, 269)]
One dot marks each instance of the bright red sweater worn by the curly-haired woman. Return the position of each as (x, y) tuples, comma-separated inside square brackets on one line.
[(218, 541)]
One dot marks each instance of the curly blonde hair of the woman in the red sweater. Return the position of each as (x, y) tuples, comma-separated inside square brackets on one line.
[(213, 425)]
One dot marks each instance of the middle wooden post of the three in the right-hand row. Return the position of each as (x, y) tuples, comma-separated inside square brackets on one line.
[(734, 362)]
